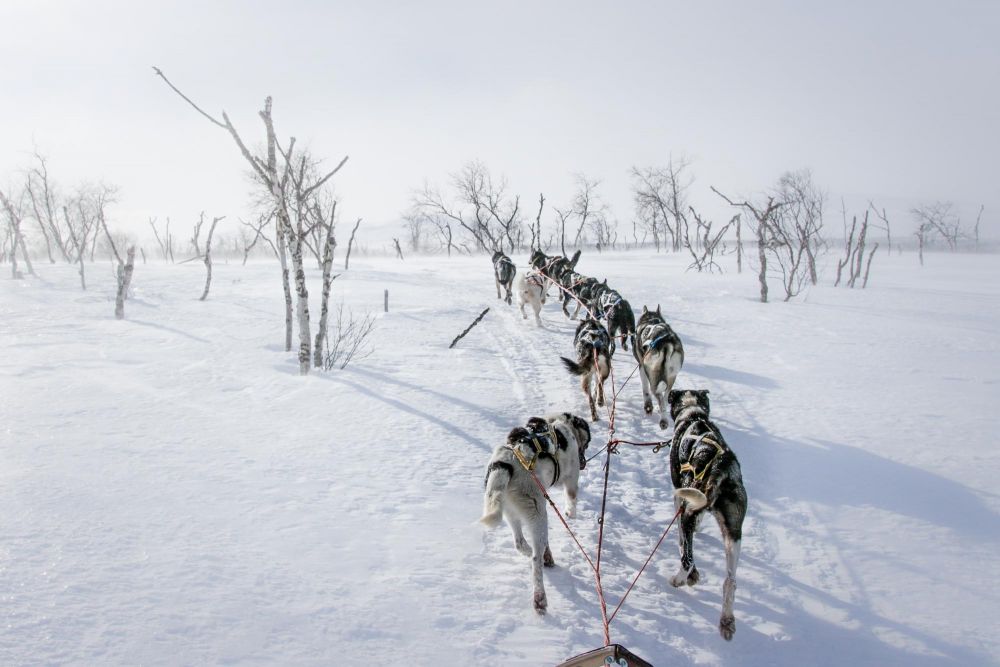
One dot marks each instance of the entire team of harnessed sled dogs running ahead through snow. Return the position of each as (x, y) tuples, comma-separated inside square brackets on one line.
[(704, 471)]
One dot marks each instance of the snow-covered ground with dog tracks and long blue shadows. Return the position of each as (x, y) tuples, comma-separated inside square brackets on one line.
[(172, 492)]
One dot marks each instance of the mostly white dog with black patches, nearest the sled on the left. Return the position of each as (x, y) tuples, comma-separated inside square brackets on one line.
[(554, 448)]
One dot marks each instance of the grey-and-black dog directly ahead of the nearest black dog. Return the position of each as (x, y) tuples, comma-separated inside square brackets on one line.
[(660, 355)]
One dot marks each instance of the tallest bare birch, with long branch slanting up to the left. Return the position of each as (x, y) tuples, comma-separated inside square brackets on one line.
[(290, 214)]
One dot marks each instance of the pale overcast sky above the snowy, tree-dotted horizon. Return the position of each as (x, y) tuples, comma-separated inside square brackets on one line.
[(896, 101)]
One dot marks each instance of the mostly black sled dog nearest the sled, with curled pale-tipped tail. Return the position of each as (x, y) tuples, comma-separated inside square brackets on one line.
[(700, 459)]
